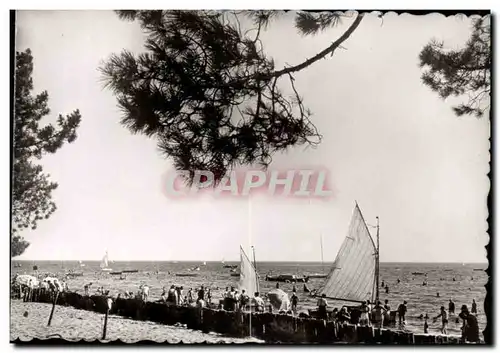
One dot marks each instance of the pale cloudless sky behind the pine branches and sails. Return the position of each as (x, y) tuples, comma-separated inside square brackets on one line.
[(389, 143)]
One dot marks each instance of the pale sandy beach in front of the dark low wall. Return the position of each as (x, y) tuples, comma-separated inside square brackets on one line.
[(72, 324)]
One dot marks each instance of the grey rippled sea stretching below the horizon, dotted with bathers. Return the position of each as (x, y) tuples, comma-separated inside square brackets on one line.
[(460, 282)]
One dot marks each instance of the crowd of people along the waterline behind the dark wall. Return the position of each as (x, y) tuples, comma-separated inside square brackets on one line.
[(232, 299)]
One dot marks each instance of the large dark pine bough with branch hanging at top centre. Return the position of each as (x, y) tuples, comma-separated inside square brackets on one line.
[(206, 91)]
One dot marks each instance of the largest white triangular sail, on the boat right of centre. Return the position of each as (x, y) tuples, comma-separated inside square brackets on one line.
[(352, 277)]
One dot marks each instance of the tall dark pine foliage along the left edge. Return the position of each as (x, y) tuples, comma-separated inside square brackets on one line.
[(31, 188)]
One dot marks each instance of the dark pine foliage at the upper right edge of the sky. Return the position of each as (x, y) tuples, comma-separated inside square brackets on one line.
[(461, 72)]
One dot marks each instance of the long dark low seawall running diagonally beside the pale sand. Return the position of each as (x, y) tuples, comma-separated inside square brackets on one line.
[(272, 328)]
